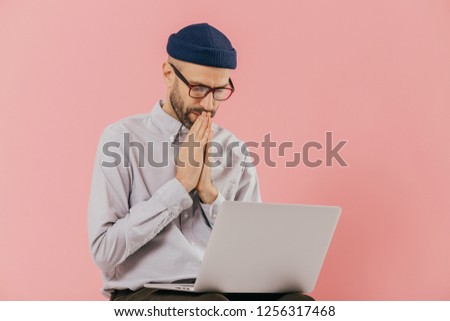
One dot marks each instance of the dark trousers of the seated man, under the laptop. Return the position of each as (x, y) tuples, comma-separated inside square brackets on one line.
[(146, 294)]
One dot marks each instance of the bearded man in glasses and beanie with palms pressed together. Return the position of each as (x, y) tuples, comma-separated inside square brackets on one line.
[(155, 192)]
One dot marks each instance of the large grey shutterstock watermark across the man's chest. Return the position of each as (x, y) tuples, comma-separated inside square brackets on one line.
[(274, 154)]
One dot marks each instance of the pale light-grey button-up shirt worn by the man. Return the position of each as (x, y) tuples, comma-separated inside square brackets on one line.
[(143, 225)]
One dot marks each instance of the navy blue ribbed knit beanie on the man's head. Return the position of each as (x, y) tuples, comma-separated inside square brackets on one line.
[(202, 44)]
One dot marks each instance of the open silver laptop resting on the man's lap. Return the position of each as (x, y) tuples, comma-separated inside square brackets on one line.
[(264, 248)]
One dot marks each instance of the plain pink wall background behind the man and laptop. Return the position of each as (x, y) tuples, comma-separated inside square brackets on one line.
[(375, 73)]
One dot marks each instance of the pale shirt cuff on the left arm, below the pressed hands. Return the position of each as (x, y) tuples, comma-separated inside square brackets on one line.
[(174, 195)]
